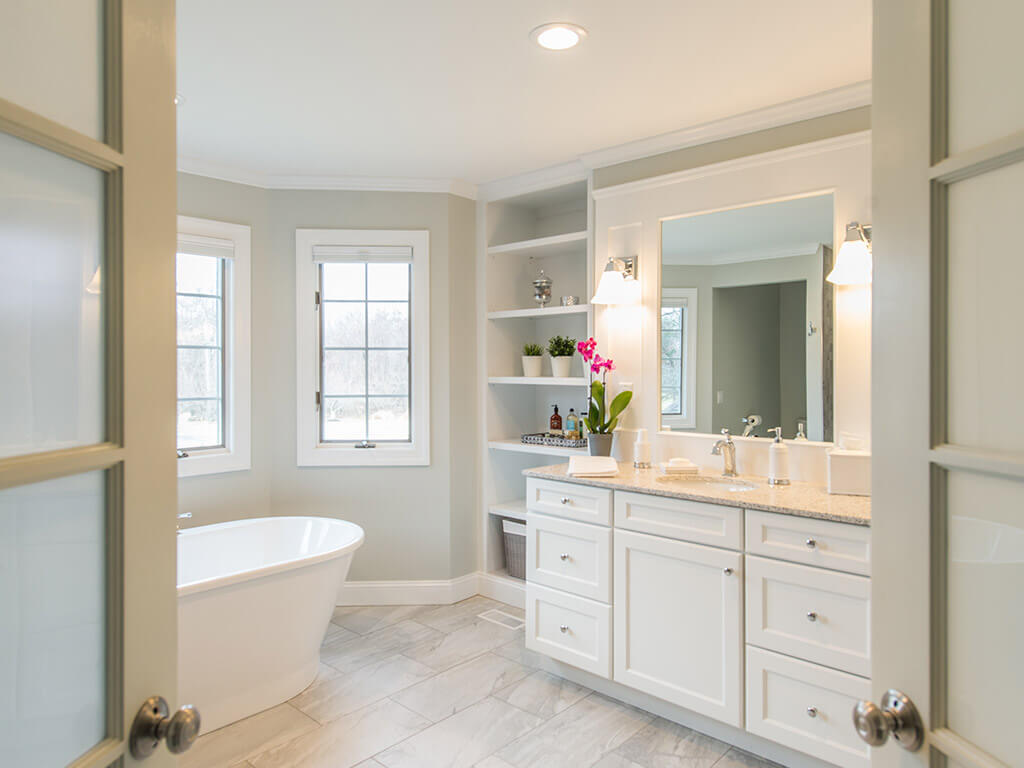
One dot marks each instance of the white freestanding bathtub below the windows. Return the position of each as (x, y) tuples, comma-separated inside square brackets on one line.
[(254, 602)]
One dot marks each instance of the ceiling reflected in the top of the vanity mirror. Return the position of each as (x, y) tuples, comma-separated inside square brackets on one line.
[(791, 228)]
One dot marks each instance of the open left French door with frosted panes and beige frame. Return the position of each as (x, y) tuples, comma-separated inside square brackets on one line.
[(88, 377)]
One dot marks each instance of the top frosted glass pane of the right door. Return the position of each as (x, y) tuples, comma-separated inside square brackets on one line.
[(985, 49)]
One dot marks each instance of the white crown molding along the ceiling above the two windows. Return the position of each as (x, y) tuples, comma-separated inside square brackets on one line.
[(343, 184)]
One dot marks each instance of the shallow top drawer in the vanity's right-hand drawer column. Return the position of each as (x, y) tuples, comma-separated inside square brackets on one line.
[(830, 545)]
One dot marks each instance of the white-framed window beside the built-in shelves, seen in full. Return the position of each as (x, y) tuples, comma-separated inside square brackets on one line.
[(364, 348)]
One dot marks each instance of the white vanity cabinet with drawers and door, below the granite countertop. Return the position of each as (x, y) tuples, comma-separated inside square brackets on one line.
[(759, 620)]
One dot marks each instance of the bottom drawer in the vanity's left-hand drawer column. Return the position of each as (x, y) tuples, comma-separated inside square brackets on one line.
[(571, 629)]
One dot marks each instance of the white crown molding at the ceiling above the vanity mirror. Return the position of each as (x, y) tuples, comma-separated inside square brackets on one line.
[(818, 106)]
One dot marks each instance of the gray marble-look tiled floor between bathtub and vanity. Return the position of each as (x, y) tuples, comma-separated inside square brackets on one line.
[(440, 688)]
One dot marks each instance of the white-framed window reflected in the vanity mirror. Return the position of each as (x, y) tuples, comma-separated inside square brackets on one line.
[(679, 308)]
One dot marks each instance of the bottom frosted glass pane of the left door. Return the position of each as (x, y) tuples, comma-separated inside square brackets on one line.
[(53, 632)]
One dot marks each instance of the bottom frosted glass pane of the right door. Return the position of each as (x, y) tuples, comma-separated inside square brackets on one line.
[(986, 625)]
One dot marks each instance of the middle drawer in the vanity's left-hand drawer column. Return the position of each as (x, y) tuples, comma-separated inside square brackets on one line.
[(570, 556)]
